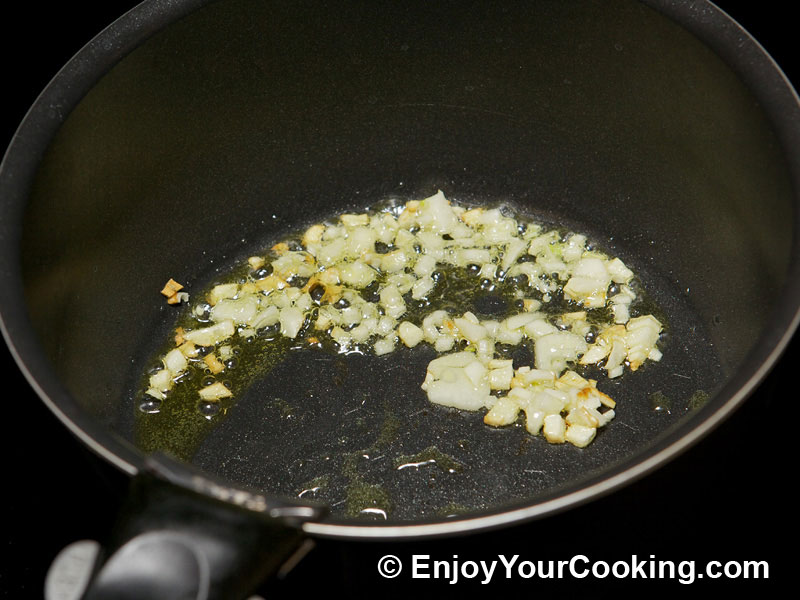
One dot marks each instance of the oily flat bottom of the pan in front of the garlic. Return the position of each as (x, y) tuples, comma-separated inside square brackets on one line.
[(356, 432)]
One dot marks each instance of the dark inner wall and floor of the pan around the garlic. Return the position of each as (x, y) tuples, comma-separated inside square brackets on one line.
[(247, 119)]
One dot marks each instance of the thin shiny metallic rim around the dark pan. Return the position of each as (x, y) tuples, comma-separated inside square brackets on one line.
[(148, 18)]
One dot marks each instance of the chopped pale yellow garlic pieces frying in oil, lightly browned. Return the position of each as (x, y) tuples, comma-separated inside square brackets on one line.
[(342, 265)]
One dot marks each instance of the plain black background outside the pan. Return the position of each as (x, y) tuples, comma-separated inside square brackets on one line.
[(728, 498)]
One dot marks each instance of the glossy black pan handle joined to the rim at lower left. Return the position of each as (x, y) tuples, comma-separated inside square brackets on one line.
[(181, 535)]
